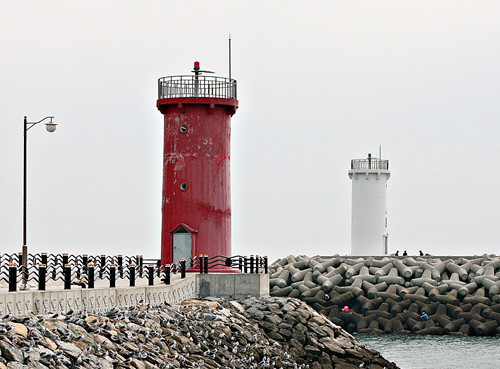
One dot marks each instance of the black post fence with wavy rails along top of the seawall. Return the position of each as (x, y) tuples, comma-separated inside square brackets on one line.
[(86, 270)]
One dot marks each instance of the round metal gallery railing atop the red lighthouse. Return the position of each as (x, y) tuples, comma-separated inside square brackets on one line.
[(196, 86)]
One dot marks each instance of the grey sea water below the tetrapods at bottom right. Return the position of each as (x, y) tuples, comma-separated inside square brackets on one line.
[(436, 352)]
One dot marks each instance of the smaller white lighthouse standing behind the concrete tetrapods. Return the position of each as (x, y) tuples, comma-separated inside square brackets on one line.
[(369, 215)]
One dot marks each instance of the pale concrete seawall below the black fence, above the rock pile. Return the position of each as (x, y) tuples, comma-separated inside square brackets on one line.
[(102, 298)]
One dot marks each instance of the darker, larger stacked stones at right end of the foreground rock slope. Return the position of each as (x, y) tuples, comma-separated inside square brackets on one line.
[(310, 338)]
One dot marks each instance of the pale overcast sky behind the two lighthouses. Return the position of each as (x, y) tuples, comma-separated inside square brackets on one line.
[(319, 83)]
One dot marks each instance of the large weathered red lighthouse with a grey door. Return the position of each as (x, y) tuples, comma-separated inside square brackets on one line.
[(196, 200)]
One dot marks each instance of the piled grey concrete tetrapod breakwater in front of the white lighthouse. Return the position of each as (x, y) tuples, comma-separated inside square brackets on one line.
[(460, 296)]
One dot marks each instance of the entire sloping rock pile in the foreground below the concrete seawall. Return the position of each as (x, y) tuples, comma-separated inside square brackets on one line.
[(251, 333)]
